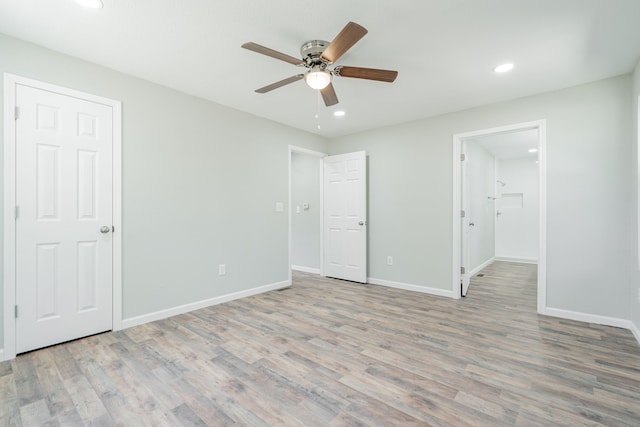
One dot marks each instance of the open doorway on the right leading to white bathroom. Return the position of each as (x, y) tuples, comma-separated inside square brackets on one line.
[(499, 202)]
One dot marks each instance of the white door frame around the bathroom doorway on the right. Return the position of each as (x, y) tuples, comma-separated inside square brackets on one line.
[(540, 125)]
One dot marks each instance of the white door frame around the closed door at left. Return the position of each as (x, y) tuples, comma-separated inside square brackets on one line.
[(9, 225)]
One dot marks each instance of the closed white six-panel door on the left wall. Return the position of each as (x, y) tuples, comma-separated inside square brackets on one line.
[(64, 155)]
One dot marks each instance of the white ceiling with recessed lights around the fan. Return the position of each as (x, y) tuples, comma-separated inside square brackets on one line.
[(444, 50)]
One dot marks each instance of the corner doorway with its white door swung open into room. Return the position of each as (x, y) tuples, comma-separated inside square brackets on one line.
[(327, 214)]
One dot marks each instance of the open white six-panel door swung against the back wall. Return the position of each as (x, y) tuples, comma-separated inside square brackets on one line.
[(345, 216)]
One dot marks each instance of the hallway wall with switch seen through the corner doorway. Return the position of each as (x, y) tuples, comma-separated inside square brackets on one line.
[(305, 224)]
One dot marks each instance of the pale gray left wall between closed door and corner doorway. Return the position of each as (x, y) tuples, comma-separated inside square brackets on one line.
[(200, 182)]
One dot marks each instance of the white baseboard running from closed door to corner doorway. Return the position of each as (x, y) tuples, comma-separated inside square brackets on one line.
[(181, 309)]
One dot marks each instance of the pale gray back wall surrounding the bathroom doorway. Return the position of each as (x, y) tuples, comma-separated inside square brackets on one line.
[(589, 179)]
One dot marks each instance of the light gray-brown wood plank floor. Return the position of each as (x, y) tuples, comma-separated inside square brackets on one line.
[(327, 353)]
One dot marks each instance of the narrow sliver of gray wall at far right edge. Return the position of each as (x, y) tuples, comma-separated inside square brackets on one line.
[(634, 289)]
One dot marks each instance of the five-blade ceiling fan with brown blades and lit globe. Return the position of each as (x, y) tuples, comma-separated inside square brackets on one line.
[(318, 56)]
